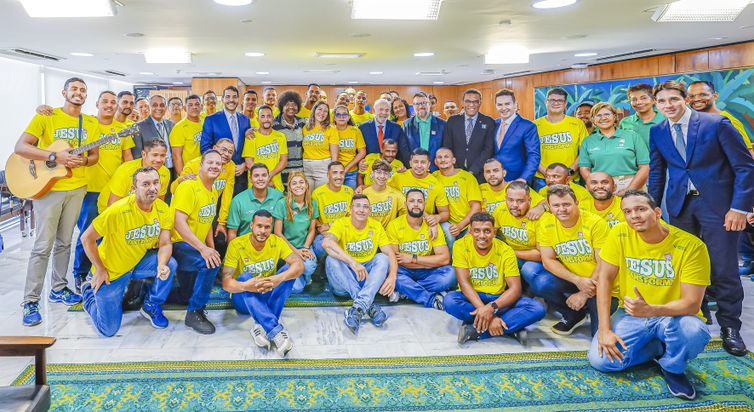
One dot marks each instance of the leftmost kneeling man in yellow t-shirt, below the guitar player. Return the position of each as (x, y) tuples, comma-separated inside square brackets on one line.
[(129, 228)]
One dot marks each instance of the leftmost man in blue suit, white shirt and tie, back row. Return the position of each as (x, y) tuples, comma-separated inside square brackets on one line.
[(230, 125)]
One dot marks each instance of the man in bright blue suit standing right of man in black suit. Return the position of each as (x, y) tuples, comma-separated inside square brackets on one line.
[(516, 139)]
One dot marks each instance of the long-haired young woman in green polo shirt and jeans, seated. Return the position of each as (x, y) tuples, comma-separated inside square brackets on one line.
[(295, 223)]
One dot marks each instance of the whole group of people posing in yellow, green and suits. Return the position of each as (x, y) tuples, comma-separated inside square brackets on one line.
[(490, 220)]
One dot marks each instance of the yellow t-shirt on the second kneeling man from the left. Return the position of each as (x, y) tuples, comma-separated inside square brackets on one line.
[(200, 204)]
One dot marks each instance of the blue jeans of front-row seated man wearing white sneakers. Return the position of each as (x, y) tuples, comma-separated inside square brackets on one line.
[(265, 308)]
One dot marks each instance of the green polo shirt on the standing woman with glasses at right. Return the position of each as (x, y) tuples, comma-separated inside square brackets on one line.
[(618, 155)]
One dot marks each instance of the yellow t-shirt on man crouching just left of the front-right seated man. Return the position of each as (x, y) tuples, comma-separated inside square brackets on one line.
[(574, 246)]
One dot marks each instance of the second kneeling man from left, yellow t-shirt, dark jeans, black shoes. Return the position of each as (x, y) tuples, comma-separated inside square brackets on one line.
[(194, 206)]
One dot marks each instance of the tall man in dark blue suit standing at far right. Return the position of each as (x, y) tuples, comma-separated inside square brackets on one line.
[(710, 188)]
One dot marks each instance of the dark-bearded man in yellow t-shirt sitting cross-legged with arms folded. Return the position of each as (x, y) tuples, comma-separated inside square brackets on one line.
[(423, 260)]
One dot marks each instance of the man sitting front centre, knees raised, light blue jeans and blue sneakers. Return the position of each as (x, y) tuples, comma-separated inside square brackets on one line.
[(353, 266)]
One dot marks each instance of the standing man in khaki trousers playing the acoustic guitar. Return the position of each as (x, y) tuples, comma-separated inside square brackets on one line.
[(58, 210)]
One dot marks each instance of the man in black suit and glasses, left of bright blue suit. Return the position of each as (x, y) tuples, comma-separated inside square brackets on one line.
[(471, 135)]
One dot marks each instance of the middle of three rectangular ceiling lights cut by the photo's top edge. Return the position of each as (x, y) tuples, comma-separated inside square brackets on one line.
[(386, 9)]
